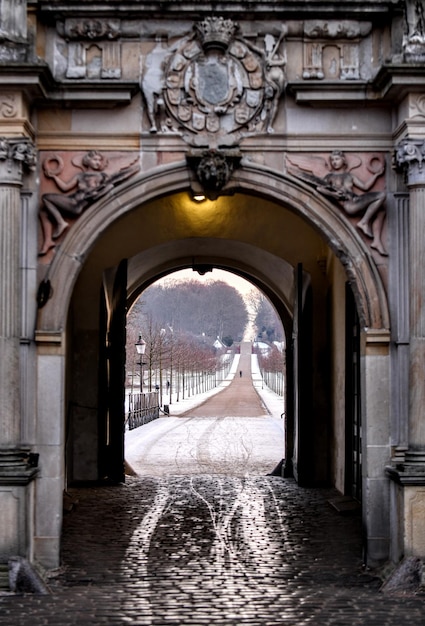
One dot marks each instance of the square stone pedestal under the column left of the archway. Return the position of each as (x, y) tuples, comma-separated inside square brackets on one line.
[(18, 468)]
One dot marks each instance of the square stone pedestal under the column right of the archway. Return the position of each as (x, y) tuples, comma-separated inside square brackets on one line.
[(408, 504)]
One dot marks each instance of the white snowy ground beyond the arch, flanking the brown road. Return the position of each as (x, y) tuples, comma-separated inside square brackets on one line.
[(220, 445)]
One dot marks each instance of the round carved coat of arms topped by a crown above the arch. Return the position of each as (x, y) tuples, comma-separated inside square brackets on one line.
[(214, 86)]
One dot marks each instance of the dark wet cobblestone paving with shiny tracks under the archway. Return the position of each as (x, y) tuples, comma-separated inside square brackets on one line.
[(211, 550)]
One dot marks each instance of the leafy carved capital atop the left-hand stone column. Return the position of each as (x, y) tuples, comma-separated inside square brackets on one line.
[(15, 154)]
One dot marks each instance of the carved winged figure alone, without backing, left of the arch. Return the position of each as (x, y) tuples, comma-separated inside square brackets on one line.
[(89, 184)]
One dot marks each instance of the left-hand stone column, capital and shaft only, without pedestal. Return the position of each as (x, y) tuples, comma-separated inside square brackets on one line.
[(15, 155)]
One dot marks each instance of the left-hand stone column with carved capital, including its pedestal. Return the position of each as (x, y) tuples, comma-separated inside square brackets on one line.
[(17, 464)]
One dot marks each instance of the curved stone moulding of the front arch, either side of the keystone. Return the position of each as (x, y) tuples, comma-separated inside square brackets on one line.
[(255, 179)]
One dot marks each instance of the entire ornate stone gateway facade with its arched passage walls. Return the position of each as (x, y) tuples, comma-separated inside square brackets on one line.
[(119, 125)]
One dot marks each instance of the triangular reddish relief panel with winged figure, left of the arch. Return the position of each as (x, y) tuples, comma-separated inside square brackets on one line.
[(87, 176)]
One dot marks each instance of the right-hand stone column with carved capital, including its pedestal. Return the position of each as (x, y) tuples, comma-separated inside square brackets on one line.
[(408, 474)]
